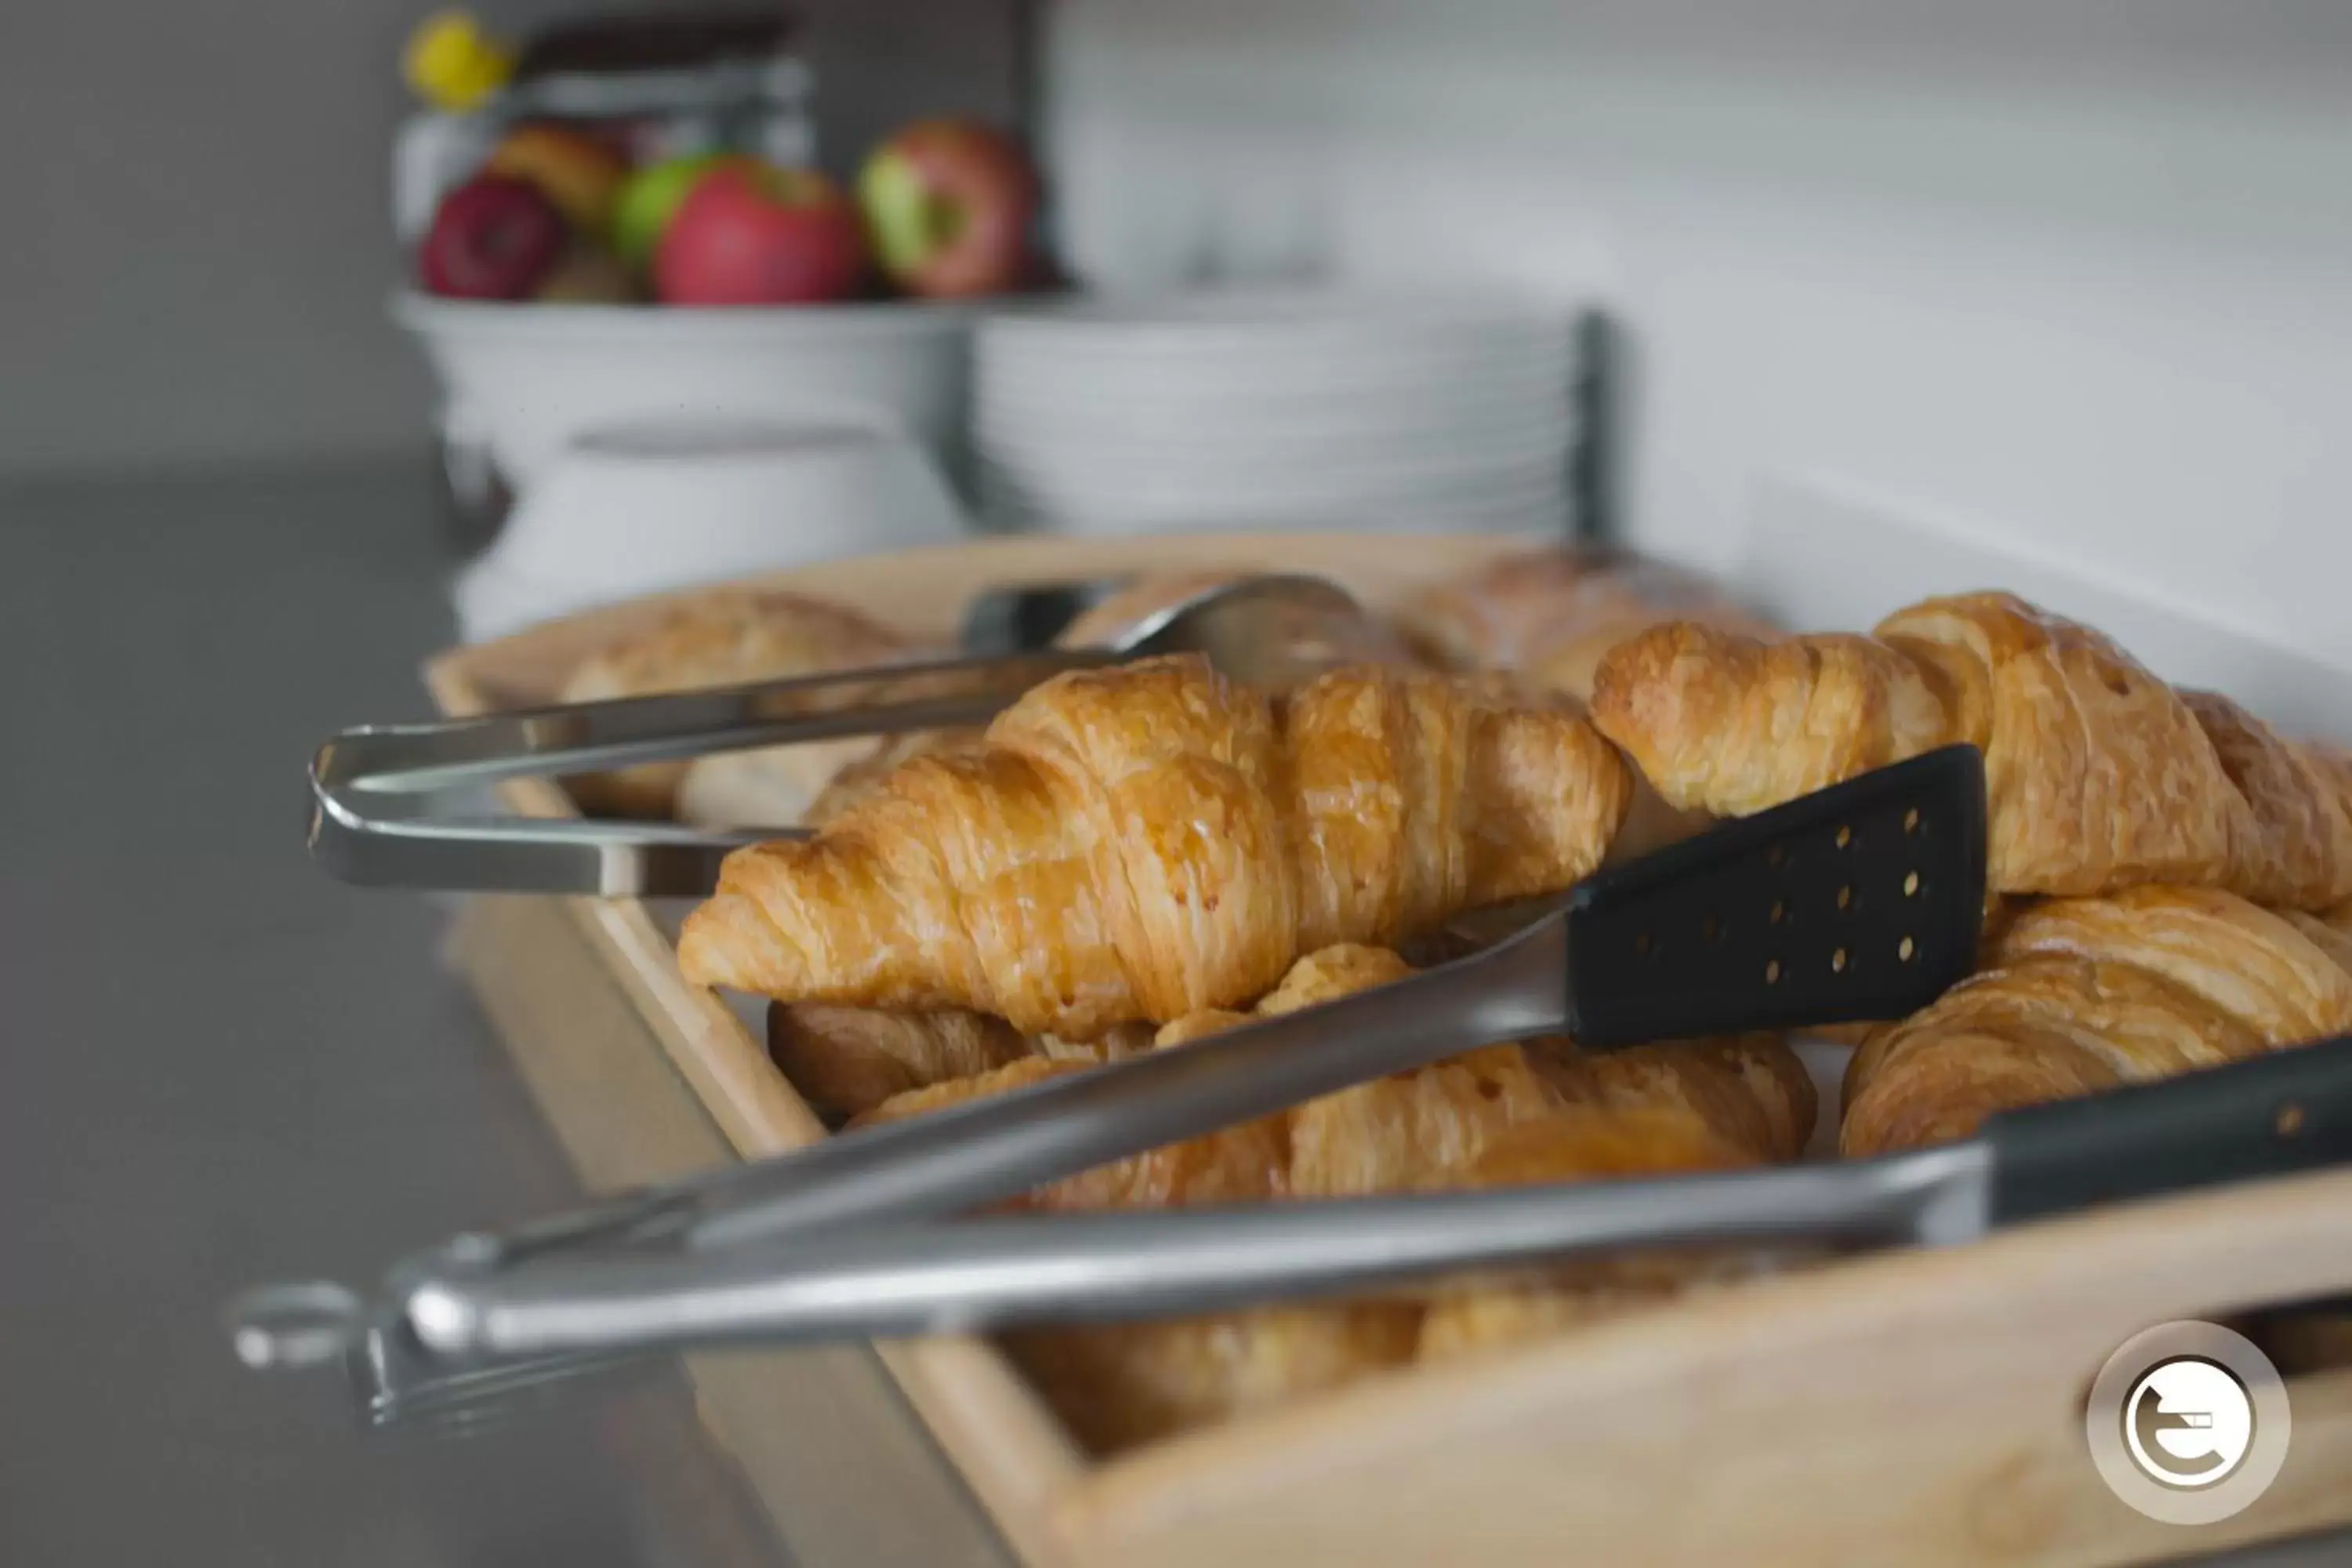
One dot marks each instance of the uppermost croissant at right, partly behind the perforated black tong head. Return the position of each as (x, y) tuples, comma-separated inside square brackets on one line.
[(2097, 772)]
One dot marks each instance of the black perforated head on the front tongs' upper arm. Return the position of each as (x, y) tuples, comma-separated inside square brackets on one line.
[(1857, 904)]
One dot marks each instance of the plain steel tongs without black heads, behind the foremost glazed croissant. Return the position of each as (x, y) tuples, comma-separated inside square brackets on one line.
[(370, 789)]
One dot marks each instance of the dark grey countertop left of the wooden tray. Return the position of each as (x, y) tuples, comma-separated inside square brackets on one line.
[(222, 1068)]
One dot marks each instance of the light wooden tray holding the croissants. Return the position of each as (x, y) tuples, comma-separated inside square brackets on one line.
[(1904, 1409)]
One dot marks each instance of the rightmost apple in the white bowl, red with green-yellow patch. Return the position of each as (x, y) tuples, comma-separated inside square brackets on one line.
[(949, 208)]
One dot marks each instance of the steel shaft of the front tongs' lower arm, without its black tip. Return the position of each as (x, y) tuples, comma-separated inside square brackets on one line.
[(973, 1275)]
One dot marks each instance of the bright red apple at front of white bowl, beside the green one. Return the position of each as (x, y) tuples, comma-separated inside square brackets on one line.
[(761, 236)]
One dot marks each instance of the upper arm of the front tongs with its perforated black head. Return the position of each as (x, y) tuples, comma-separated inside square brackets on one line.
[(1855, 904)]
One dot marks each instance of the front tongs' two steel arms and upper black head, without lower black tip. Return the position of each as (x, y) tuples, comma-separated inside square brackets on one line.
[(1862, 902)]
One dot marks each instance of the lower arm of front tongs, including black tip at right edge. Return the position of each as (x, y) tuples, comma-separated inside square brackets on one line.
[(2250, 1120)]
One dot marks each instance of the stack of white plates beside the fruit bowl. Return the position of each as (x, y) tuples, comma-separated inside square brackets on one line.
[(1278, 410)]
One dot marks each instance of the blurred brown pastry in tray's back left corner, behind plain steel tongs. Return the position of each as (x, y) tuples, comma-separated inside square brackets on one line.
[(723, 638)]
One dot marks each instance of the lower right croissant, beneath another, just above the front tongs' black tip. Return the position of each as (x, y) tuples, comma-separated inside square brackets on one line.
[(2092, 993)]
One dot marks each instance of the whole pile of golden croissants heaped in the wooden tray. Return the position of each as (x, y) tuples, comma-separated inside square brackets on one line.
[(1140, 857)]
